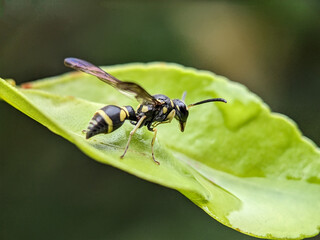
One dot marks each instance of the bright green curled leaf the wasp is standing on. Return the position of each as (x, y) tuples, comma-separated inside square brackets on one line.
[(246, 167)]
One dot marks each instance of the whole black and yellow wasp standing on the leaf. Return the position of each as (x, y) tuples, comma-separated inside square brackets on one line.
[(152, 110)]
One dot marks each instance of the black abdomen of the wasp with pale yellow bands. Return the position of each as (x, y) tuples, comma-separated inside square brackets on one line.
[(108, 119)]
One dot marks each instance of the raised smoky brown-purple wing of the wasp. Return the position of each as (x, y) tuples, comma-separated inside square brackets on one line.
[(125, 87)]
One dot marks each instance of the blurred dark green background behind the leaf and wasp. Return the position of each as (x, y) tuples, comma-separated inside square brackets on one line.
[(50, 190)]
